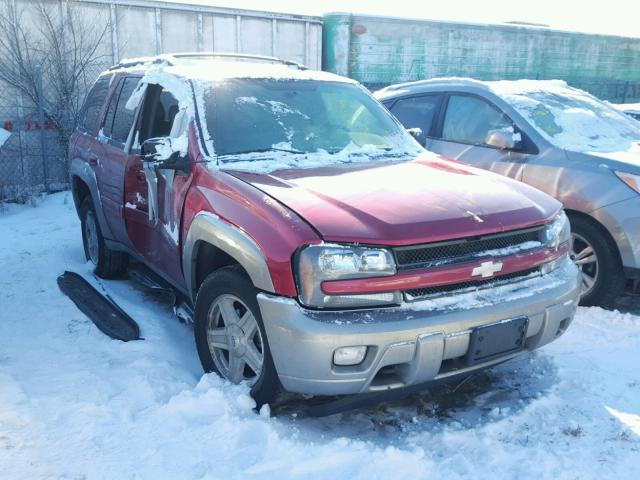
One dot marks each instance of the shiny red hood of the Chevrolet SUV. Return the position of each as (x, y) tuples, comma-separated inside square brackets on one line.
[(428, 199)]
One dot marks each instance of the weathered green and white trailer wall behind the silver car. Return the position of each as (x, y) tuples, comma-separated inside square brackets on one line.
[(382, 50)]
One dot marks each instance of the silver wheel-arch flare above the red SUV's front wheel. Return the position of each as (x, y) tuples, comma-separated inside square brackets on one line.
[(209, 228)]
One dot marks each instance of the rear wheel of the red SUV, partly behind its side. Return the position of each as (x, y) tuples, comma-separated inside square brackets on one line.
[(108, 263)]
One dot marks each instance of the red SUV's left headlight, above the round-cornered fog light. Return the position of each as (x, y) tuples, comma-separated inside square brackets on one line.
[(317, 263)]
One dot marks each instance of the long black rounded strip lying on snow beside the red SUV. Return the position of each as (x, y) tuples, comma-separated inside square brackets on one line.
[(101, 310)]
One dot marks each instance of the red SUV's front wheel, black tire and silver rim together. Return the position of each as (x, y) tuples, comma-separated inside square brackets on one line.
[(230, 335)]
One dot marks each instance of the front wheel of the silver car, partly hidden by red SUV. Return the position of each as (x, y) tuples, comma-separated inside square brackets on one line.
[(596, 256)]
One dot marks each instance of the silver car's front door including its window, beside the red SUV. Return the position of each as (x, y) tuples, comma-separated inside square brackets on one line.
[(465, 128)]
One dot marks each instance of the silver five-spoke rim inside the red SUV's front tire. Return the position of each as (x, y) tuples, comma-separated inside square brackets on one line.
[(235, 340)]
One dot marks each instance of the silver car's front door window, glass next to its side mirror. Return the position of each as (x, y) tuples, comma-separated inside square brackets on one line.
[(471, 120)]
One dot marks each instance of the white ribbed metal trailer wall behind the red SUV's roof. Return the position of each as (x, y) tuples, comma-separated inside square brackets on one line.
[(140, 27)]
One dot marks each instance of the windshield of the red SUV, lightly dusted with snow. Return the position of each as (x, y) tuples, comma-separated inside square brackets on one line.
[(270, 116)]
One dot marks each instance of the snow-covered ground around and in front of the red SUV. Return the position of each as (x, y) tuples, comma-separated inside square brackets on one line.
[(75, 404)]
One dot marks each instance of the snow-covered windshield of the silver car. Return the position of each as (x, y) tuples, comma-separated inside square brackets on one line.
[(570, 118)]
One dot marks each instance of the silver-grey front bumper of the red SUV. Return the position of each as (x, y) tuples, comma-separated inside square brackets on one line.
[(412, 344)]
